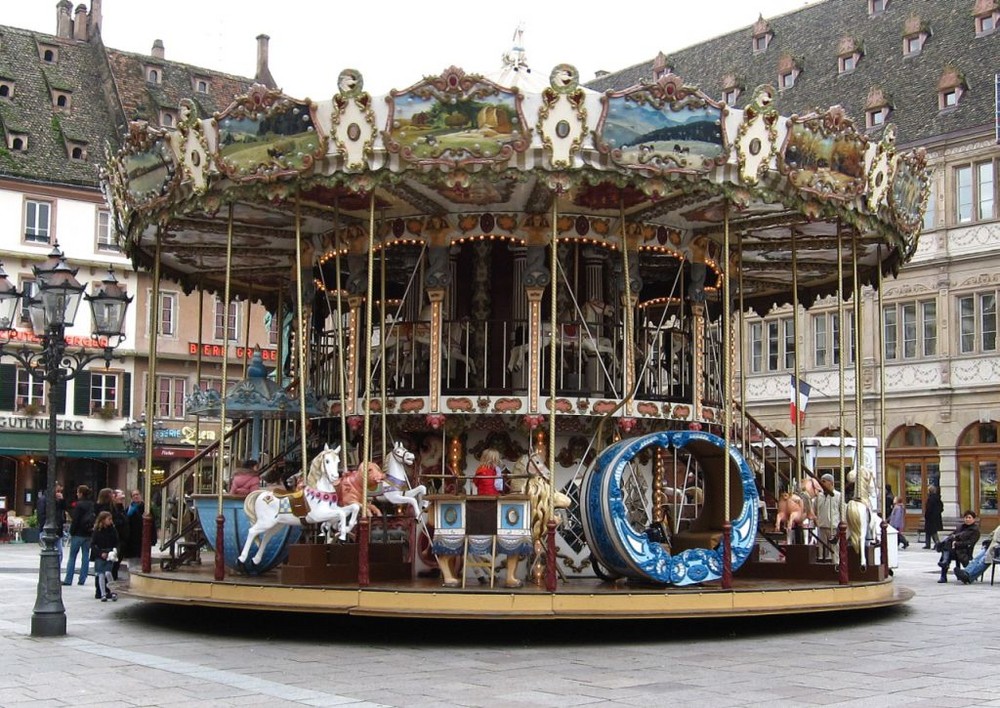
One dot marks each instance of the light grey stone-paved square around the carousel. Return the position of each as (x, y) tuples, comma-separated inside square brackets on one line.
[(940, 649)]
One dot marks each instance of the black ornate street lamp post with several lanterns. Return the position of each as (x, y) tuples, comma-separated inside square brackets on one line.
[(52, 310)]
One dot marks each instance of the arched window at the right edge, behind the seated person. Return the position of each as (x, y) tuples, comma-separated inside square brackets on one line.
[(978, 458)]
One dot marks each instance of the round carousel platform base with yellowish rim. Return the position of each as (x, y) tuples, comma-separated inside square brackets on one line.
[(574, 599)]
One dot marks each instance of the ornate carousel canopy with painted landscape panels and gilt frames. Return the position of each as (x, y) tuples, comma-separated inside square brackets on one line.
[(659, 167)]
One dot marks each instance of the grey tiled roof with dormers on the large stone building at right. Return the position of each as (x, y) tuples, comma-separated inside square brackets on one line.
[(811, 36)]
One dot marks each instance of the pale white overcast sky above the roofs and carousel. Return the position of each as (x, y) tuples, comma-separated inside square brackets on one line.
[(393, 44)]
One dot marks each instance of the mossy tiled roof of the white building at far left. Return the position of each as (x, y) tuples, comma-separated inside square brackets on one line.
[(30, 110)]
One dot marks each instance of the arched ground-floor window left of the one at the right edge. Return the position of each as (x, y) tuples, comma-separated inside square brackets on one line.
[(912, 464)]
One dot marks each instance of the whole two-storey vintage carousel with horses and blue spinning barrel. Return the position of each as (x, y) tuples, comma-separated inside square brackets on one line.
[(507, 382)]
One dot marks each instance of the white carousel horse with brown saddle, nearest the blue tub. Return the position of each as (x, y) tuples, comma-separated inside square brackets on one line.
[(266, 509)]
